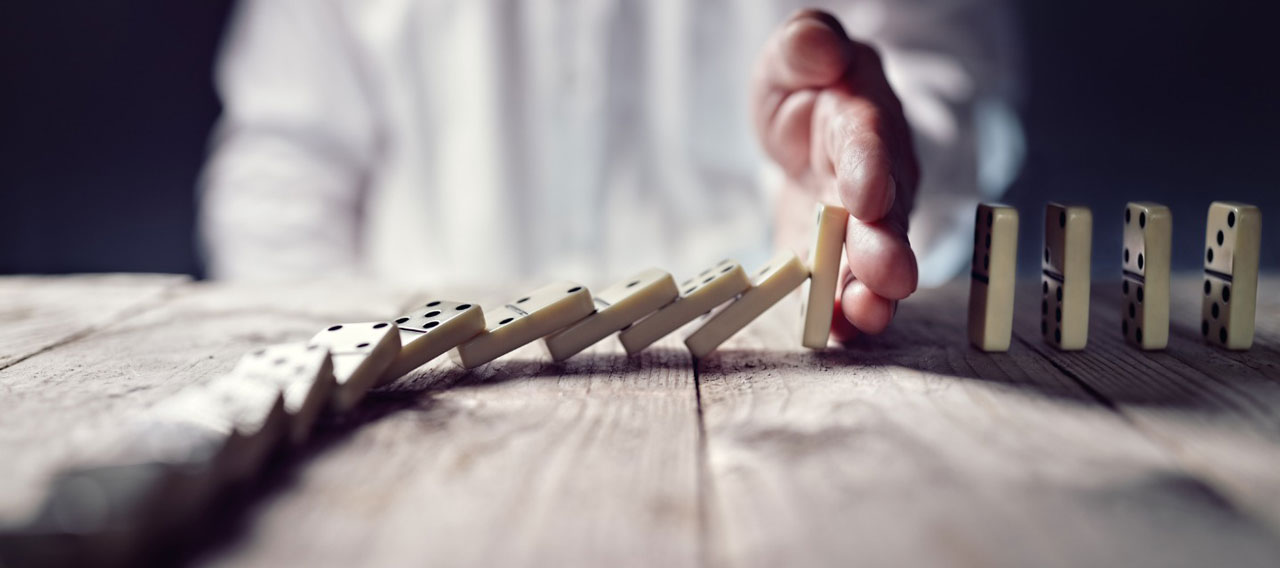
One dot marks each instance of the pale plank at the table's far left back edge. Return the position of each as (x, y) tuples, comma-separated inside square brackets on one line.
[(40, 313)]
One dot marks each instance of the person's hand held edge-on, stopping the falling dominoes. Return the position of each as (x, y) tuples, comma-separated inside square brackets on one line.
[(826, 114)]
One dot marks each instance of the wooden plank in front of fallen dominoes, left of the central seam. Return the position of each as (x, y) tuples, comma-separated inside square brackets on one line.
[(524, 462)]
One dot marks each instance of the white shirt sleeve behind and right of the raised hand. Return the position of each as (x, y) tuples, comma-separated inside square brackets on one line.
[(954, 66)]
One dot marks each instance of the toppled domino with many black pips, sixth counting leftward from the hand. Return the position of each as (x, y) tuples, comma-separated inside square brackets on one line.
[(427, 333)]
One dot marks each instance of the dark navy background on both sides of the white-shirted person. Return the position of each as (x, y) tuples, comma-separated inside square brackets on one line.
[(106, 112)]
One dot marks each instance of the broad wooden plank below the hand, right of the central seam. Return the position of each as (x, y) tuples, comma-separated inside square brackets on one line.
[(913, 450)]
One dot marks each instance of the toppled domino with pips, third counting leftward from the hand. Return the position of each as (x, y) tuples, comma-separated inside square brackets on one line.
[(700, 295)]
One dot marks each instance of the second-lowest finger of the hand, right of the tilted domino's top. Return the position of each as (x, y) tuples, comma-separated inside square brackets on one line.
[(880, 256)]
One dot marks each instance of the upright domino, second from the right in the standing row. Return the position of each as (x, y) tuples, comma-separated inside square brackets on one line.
[(1145, 280)]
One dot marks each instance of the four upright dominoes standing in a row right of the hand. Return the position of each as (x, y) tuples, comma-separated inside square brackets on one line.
[(1232, 246)]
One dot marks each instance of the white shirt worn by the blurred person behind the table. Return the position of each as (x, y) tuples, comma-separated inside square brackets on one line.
[(437, 141)]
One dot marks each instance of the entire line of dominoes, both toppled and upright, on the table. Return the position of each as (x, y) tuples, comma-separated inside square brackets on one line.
[(177, 459)]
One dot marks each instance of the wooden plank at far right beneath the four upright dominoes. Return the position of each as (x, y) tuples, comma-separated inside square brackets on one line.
[(1217, 411)]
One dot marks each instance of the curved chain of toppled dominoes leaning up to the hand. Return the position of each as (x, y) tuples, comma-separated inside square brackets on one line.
[(188, 450)]
